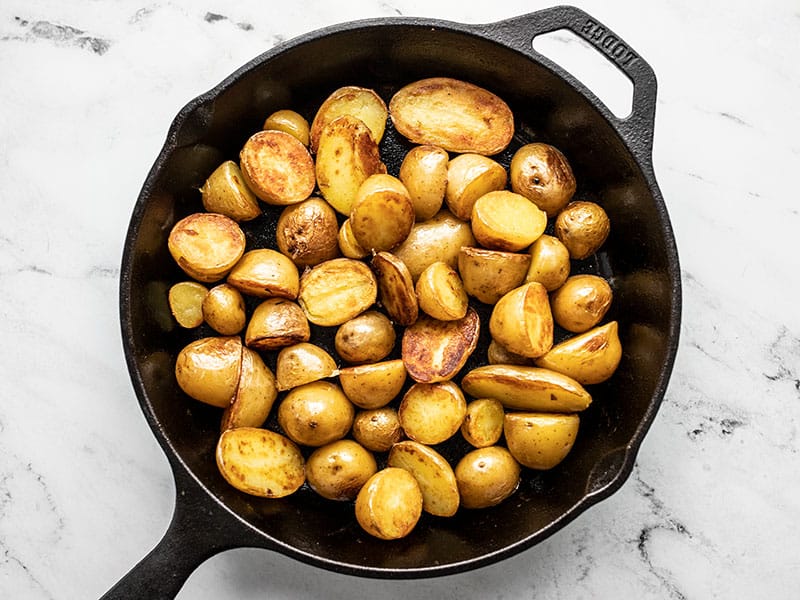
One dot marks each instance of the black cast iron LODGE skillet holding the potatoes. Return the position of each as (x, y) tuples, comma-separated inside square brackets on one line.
[(612, 161)]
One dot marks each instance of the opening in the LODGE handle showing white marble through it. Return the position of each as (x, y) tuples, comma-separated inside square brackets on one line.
[(590, 67)]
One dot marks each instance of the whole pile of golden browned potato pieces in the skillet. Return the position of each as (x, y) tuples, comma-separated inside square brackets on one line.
[(393, 261)]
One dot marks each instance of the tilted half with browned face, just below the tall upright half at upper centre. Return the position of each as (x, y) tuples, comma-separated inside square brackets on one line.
[(382, 214)]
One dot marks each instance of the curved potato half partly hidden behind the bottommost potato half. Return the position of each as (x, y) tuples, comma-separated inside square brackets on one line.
[(433, 474)]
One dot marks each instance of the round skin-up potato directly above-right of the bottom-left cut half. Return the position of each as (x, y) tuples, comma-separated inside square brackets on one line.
[(316, 414)]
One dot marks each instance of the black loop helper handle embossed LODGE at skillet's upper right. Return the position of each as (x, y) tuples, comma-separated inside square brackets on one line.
[(637, 128)]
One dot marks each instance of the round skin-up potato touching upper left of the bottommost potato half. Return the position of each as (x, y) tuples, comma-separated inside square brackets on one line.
[(338, 471)]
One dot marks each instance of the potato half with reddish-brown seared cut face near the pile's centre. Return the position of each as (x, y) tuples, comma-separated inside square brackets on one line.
[(435, 350)]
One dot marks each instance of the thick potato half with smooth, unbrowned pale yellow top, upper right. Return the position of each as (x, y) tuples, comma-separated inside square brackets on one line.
[(503, 220)]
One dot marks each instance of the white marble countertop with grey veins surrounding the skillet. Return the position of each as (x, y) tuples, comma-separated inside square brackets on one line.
[(87, 92)]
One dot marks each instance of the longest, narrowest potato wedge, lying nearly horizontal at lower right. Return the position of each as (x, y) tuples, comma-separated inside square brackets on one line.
[(520, 387)]
